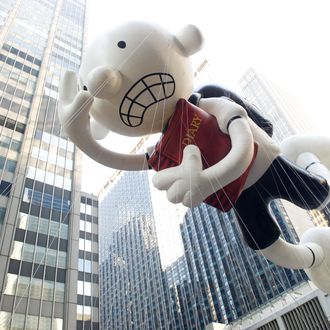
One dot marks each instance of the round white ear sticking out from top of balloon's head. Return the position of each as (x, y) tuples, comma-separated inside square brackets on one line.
[(189, 39)]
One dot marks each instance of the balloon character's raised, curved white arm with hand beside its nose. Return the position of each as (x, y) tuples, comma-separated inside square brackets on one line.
[(75, 119)]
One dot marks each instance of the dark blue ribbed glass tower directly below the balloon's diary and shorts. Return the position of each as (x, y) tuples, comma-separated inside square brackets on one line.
[(231, 279)]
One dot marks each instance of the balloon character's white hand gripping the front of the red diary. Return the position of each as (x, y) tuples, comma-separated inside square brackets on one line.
[(185, 183)]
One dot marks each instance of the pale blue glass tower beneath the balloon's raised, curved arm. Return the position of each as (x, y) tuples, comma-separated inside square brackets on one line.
[(133, 290)]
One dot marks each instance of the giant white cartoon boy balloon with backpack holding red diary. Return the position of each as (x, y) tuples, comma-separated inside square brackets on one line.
[(137, 80)]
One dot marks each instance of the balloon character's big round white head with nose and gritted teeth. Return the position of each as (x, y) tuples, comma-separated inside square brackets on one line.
[(136, 73)]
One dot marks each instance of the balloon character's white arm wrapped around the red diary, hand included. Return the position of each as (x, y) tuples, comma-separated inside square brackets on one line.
[(188, 183)]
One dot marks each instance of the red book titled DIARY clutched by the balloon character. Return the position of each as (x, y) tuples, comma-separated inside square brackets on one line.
[(192, 125)]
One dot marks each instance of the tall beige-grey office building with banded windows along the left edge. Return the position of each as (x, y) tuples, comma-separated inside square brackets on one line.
[(39, 167)]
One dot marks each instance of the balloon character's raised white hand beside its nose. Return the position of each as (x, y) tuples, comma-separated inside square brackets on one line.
[(74, 105)]
